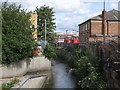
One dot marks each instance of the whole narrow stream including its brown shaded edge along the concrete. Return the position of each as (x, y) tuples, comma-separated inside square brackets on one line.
[(59, 76)]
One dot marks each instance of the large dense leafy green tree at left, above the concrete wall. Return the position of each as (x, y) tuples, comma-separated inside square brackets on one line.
[(17, 39)]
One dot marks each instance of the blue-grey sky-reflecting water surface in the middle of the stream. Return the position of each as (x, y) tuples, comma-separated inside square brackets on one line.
[(62, 78)]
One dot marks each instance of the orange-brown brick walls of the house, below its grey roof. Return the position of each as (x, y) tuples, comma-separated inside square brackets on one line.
[(96, 28)]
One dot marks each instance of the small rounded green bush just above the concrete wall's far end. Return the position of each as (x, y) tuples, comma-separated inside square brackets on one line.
[(50, 52)]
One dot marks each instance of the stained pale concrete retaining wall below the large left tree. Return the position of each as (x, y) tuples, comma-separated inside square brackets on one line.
[(28, 65)]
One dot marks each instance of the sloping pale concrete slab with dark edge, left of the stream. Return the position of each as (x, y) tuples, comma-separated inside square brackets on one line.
[(32, 81)]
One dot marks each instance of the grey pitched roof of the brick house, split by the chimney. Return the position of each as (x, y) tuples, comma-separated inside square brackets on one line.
[(111, 15)]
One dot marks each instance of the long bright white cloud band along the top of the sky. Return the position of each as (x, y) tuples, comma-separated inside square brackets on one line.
[(59, 5)]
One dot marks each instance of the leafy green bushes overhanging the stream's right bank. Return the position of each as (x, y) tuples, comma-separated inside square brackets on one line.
[(85, 67)]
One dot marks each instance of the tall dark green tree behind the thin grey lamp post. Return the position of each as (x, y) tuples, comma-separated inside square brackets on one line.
[(46, 13)]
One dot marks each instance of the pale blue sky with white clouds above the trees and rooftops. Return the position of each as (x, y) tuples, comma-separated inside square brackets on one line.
[(69, 13)]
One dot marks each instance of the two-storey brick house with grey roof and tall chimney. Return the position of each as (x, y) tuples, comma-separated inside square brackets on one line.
[(100, 26)]
